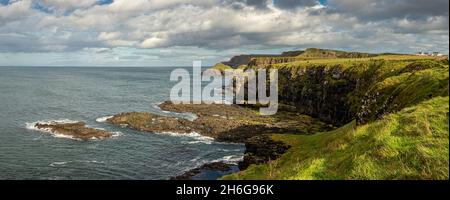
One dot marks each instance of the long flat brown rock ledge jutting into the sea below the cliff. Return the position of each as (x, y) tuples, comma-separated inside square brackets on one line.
[(225, 123)]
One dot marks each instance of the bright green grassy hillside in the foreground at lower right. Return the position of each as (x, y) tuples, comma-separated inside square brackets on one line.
[(410, 144)]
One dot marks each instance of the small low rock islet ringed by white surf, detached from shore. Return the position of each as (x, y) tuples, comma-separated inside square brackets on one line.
[(77, 130)]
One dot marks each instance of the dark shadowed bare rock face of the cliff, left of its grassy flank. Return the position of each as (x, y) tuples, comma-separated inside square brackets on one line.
[(319, 91)]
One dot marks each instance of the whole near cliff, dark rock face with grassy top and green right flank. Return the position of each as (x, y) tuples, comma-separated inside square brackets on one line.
[(365, 91)]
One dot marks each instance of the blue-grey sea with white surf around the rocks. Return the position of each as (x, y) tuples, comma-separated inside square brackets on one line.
[(92, 94)]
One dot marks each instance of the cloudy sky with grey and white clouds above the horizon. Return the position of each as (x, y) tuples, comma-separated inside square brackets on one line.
[(176, 32)]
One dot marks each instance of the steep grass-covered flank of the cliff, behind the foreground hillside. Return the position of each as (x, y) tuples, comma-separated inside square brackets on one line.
[(394, 92)]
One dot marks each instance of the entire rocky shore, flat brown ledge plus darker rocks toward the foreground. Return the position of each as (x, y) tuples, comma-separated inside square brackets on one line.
[(226, 123)]
